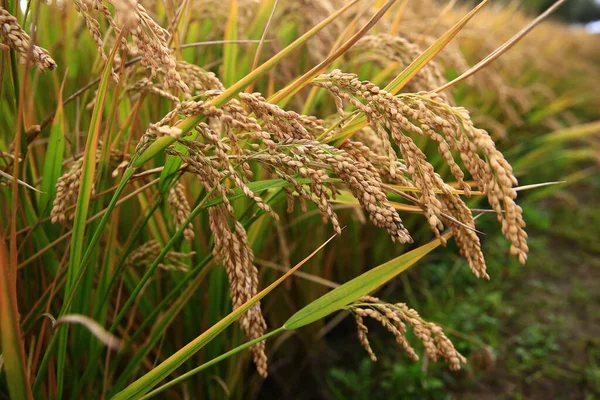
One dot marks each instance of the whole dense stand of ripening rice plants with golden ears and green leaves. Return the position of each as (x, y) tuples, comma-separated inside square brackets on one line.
[(161, 153)]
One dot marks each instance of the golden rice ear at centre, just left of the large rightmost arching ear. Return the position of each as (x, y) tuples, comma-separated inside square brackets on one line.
[(296, 151)]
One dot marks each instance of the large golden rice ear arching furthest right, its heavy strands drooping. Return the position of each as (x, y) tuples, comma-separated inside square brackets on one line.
[(397, 118)]
